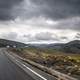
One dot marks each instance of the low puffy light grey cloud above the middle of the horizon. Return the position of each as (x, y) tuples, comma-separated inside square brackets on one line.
[(42, 36)]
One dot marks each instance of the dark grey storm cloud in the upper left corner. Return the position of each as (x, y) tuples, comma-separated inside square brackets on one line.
[(6, 8)]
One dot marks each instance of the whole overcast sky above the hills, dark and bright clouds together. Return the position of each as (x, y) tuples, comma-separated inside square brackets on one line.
[(40, 21)]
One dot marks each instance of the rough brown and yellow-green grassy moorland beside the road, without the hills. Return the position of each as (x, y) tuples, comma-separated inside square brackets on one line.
[(67, 63)]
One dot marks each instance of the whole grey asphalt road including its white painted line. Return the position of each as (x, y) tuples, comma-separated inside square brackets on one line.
[(15, 69)]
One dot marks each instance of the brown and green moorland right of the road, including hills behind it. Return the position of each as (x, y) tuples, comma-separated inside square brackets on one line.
[(65, 58)]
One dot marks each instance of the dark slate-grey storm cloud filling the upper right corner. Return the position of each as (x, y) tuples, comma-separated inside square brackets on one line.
[(59, 9)]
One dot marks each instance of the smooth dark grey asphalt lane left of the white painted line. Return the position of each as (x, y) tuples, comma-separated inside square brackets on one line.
[(10, 71)]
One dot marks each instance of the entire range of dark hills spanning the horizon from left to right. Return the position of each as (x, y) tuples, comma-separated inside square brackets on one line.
[(70, 47)]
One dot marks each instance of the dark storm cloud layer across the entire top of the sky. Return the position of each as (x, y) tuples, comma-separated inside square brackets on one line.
[(53, 9)]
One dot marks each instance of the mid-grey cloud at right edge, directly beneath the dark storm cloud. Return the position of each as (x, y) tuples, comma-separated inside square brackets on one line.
[(71, 24)]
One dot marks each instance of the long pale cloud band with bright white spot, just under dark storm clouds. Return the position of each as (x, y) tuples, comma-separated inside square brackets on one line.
[(41, 22)]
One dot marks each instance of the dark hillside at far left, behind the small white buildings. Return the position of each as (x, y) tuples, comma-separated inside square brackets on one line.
[(4, 43)]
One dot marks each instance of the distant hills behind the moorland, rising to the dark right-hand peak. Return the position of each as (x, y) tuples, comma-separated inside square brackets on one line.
[(70, 47)]
